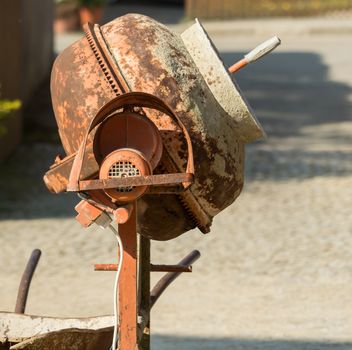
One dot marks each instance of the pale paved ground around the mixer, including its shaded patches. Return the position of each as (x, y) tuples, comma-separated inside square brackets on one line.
[(276, 271)]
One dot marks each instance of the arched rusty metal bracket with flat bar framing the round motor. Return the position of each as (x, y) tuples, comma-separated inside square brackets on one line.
[(135, 99)]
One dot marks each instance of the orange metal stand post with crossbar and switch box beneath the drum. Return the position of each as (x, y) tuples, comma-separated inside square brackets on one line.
[(135, 296)]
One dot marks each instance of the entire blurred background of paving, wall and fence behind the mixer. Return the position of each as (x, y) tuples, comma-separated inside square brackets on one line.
[(276, 271)]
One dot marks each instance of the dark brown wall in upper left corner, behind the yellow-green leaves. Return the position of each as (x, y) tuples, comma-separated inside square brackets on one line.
[(26, 45)]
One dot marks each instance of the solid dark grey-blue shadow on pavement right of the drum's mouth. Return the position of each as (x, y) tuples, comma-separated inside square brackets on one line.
[(290, 91)]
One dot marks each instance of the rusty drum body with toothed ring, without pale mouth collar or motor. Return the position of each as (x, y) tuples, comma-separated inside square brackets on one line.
[(152, 59)]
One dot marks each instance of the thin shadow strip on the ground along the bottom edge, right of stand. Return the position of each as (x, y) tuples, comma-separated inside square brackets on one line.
[(198, 343)]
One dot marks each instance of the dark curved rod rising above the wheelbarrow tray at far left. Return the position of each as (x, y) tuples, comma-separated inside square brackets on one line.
[(23, 288)]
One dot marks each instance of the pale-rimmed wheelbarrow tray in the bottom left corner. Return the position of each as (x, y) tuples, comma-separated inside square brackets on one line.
[(46, 333)]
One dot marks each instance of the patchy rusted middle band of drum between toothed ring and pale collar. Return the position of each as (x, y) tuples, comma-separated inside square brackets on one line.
[(155, 60)]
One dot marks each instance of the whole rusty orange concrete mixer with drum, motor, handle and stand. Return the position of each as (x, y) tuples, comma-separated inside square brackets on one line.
[(154, 129)]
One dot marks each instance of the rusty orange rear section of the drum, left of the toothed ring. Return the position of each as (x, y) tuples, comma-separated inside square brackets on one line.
[(78, 90)]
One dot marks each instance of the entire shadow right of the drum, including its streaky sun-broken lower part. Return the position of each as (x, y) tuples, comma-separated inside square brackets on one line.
[(306, 116)]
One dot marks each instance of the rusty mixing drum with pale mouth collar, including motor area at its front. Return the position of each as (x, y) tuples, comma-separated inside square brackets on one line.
[(194, 97)]
